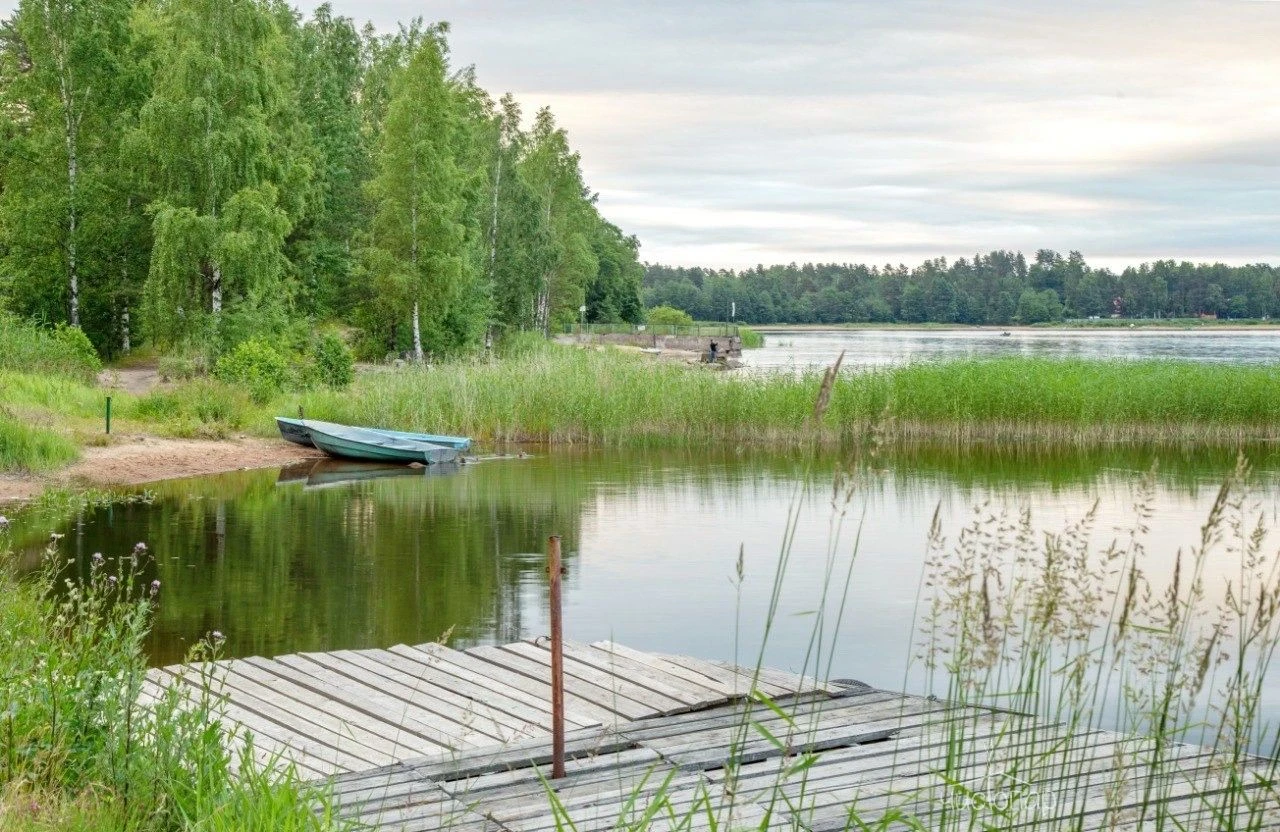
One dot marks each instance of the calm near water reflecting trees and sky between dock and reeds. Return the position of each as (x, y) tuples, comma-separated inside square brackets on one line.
[(299, 560)]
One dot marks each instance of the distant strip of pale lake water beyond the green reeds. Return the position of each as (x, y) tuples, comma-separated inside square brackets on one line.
[(863, 348)]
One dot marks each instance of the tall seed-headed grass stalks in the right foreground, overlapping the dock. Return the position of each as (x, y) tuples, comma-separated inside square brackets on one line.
[(1036, 647)]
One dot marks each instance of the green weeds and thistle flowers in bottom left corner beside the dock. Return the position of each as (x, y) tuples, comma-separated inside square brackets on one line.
[(77, 748)]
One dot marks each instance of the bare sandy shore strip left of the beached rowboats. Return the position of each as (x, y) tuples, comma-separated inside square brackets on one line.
[(135, 460)]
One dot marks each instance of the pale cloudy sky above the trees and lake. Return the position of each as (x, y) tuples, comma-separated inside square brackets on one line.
[(728, 134)]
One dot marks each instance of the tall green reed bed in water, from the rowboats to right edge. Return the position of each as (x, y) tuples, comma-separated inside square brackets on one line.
[(569, 396)]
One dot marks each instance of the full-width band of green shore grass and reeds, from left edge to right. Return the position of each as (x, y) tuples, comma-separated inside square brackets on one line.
[(556, 395)]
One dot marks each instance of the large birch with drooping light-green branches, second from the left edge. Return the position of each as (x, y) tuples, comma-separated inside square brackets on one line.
[(230, 162)]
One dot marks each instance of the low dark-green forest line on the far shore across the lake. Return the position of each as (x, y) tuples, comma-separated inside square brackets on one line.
[(996, 289)]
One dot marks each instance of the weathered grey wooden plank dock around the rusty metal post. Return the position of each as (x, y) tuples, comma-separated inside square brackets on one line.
[(419, 739)]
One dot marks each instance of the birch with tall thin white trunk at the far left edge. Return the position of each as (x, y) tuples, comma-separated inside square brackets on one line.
[(67, 98)]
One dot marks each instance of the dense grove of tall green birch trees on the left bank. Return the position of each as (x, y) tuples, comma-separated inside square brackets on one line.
[(200, 172)]
